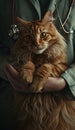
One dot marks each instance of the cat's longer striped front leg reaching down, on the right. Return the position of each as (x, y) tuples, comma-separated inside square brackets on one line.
[(41, 76)]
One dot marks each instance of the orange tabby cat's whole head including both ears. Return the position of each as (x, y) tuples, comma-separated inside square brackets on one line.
[(39, 35)]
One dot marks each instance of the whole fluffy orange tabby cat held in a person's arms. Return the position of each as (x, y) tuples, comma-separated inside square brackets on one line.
[(40, 52)]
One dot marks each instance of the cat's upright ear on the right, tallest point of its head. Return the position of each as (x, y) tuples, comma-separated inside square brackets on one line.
[(48, 17)]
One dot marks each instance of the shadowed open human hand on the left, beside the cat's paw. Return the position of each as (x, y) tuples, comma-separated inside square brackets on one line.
[(14, 79)]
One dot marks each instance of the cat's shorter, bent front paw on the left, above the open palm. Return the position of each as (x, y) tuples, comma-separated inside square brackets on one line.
[(26, 72)]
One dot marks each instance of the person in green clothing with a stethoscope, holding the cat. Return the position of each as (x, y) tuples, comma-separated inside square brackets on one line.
[(63, 13)]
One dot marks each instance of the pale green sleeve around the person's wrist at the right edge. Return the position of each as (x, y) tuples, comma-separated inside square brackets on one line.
[(69, 74)]
